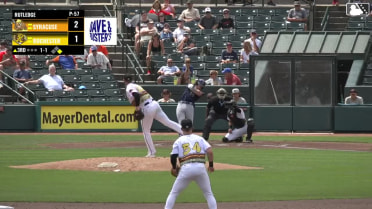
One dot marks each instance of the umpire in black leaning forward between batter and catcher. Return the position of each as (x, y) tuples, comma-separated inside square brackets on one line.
[(215, 110)]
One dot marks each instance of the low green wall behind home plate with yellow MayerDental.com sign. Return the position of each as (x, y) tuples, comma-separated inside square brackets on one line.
[(116, 117)]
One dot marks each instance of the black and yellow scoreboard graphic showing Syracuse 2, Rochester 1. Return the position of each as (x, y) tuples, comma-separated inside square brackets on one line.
[(48, 32)]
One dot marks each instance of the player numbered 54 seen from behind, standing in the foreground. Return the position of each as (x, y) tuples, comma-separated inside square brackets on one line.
[(191, 149)]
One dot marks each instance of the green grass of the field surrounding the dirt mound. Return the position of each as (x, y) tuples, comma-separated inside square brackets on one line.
[(288, 174)]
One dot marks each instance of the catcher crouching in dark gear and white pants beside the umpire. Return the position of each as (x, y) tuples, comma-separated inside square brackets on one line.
[(238, 125)]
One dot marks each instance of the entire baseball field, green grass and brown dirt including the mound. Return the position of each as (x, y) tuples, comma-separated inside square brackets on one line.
[(302, 171)]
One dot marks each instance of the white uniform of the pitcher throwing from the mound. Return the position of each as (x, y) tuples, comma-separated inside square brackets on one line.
[(152, 110)]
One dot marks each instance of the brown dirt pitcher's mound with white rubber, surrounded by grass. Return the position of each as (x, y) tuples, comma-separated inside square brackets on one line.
[(120, 164)]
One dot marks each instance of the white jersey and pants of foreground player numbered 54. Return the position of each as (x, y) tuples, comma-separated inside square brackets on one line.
[(194, 170)]
